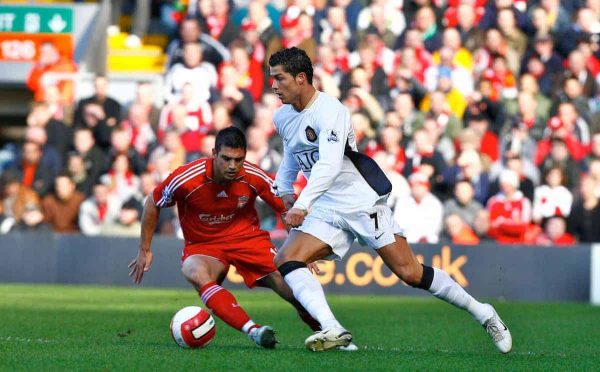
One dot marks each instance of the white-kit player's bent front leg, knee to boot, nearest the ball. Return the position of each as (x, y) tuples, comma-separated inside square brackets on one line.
[(299, 249)]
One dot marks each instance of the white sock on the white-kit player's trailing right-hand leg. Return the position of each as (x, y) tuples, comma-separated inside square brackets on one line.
[(444, 288)]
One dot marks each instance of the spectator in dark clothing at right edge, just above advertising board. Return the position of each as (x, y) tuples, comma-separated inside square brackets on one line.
[(585, 214)]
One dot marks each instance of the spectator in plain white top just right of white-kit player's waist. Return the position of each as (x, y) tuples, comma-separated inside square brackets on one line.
[(420, 214)]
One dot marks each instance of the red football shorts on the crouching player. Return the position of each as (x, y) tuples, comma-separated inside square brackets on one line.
[(253, 258)]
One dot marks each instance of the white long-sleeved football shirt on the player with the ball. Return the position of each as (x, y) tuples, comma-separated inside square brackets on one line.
[(313, 142)]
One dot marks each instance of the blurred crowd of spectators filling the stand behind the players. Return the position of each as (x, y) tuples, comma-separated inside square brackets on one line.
[(484, 114)]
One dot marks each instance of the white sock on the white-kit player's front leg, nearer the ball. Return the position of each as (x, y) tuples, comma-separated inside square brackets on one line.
[(309, 292)]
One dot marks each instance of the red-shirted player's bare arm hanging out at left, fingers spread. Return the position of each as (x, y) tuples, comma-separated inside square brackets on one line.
[(143, 261)]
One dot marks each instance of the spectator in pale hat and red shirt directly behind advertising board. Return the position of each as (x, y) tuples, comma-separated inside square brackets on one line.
[(510, 211)]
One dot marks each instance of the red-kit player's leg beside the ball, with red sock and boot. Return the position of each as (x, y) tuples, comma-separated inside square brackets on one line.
[(203, 272)]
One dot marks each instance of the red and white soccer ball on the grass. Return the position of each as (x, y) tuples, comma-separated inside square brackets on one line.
[(192, 327)]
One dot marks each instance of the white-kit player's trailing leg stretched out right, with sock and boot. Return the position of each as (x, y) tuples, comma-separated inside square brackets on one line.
[(399, 257)]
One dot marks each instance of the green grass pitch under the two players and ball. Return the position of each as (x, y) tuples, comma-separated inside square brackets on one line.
[(89, 328)]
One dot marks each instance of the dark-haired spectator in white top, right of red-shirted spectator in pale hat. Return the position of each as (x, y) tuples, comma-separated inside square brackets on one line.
[(552, 198)]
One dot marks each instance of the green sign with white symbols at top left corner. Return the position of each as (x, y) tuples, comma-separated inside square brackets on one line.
[(34, 20)]
